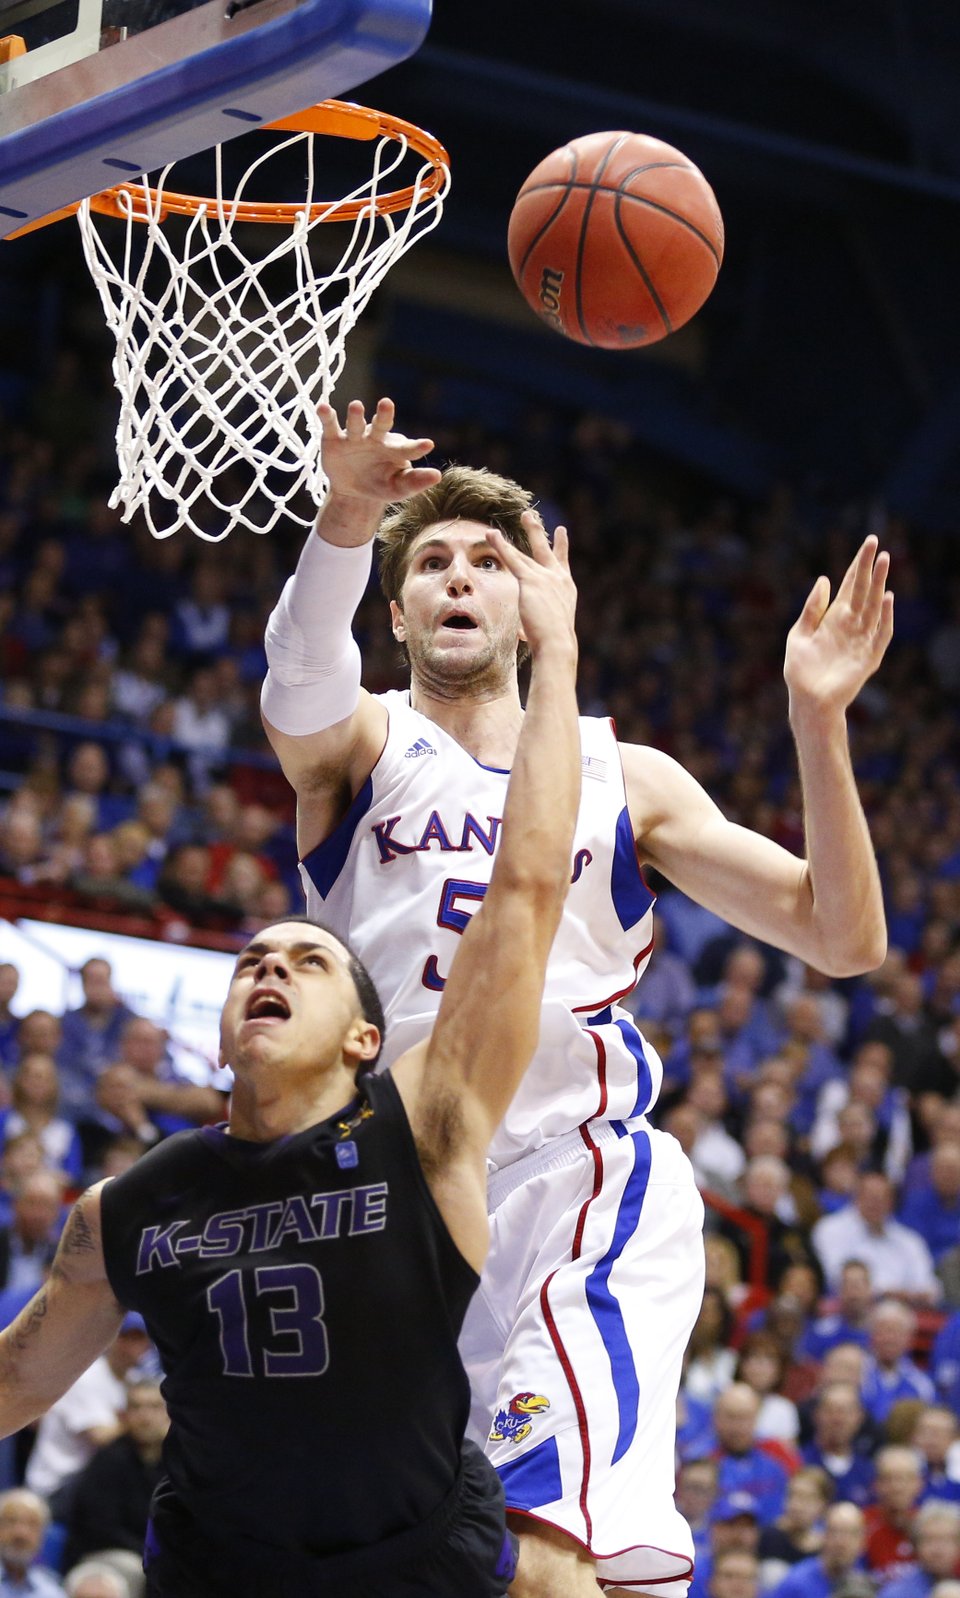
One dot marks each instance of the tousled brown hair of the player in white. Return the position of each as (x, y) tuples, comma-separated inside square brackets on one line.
[(462, 495)]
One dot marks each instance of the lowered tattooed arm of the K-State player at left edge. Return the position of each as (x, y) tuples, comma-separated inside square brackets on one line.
[(65, 1327)]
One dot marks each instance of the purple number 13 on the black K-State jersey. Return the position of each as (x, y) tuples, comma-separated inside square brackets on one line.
[(298, 1340)]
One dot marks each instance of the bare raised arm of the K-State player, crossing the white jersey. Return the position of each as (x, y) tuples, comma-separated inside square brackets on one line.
[(459, 1084)]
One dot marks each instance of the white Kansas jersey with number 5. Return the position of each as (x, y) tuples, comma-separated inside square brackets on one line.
[(411, 862)]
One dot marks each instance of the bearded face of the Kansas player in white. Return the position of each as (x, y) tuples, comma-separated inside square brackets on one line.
[(459, 614)]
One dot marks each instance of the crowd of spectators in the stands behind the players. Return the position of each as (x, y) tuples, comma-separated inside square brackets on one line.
[(820, 1415)]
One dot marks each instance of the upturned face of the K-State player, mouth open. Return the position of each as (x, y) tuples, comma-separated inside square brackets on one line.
[(293, 1004)]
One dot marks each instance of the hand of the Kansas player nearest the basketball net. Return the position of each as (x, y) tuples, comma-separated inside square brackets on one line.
[(367, 461)]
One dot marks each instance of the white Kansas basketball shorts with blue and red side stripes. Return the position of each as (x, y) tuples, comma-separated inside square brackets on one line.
[(585, 1425)]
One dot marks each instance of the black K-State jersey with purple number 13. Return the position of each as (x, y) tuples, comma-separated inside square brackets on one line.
[(306, 1298)]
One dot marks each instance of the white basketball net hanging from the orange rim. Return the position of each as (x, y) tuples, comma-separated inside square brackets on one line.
[(220, 375)]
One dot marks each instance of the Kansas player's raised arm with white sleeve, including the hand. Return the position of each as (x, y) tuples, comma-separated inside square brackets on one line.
[(325, 731)]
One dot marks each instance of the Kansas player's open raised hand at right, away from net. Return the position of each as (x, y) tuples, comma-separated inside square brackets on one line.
[(836, 646)]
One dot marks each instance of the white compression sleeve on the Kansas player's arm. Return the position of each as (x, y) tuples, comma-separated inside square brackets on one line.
[(314, 662)]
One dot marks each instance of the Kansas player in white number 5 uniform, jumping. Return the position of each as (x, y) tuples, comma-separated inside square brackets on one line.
[(595, 1274)]
